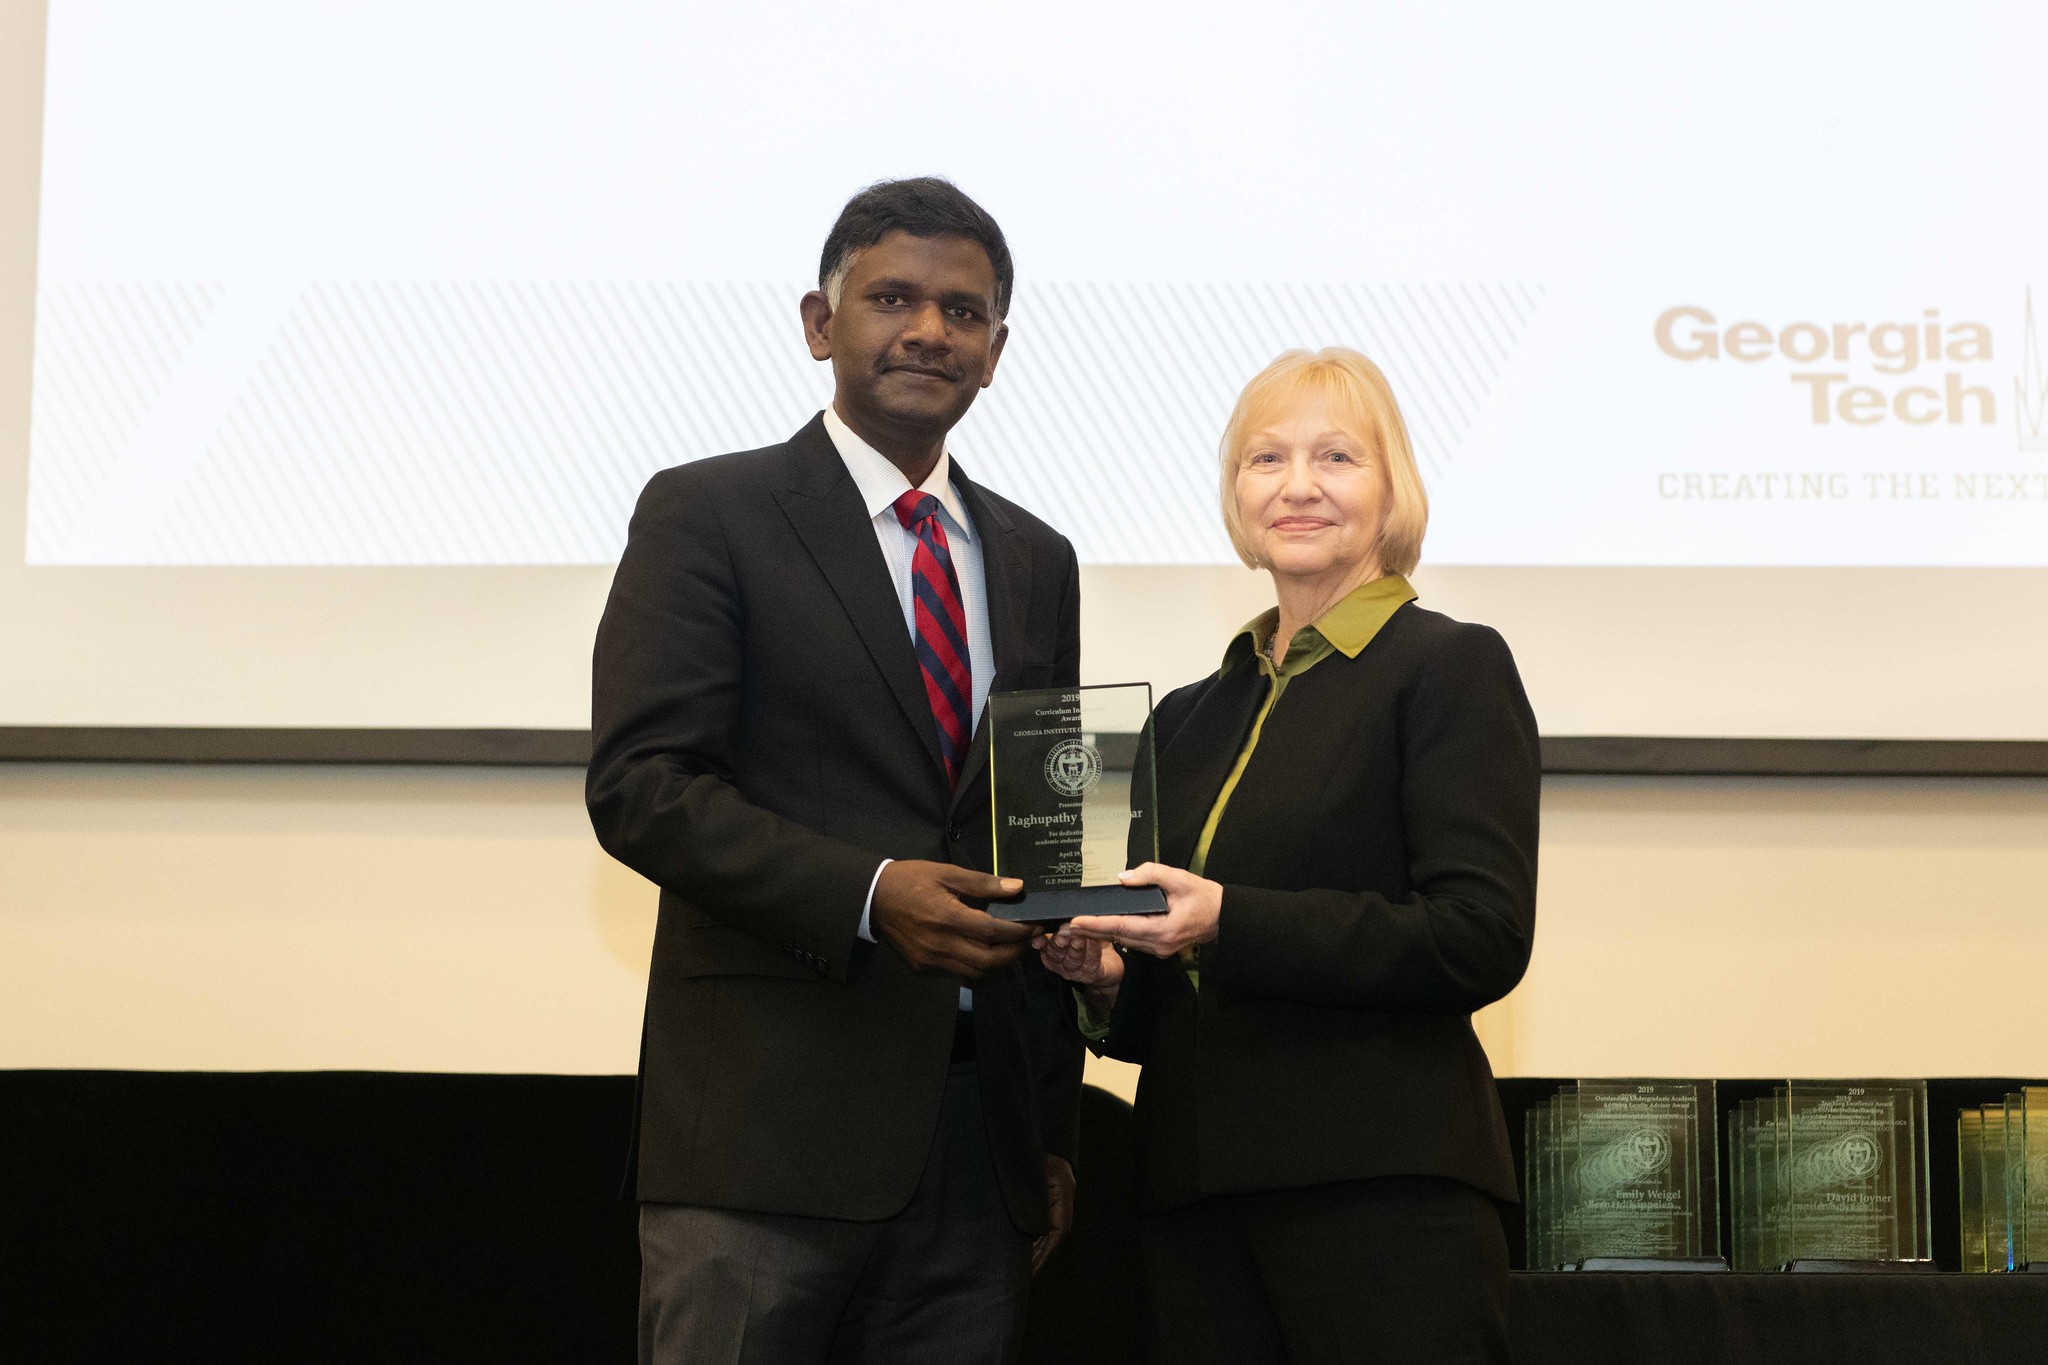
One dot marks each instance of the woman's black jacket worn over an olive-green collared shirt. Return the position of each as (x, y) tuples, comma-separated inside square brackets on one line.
[(1379, 871)]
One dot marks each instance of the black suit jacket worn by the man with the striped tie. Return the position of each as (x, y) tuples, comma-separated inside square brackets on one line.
[(761, 744)]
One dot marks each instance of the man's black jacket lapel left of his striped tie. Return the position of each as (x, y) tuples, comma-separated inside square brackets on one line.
[(824, 507)]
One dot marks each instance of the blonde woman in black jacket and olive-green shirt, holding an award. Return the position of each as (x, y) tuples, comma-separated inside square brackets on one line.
[(1349, 840)]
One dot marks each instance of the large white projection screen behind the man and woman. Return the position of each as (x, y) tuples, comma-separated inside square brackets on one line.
[(359, 326)]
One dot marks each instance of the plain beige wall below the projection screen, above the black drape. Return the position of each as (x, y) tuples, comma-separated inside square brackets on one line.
[(464, 920)]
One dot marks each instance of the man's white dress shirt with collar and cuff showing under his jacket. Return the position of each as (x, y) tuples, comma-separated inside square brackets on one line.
[(882, 484)]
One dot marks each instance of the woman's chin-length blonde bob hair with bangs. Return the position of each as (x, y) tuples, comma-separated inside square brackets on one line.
[(1365, 408)]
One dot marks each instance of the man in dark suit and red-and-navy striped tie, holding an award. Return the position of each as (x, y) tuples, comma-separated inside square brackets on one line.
[(857, 1098)]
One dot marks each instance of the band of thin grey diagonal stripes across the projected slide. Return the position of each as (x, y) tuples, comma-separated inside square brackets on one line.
[(501, 423)]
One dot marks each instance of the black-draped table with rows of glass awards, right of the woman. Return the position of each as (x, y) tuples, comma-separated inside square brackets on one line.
[(1854, 1221)]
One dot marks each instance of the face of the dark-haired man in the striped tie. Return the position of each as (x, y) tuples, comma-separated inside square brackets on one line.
[(914, 337)]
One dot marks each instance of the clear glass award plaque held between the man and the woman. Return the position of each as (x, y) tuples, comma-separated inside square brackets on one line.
[(1074, 801)]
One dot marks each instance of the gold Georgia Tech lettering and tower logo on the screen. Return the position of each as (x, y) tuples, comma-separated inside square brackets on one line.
[(1859, 373)]
